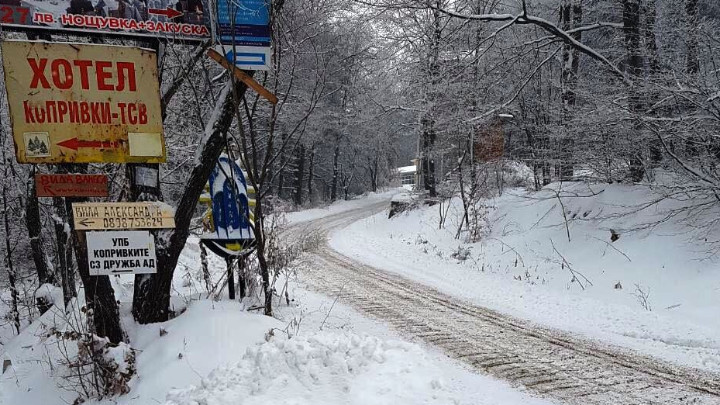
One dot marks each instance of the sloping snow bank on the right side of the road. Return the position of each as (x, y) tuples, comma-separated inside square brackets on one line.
[(516, 270)]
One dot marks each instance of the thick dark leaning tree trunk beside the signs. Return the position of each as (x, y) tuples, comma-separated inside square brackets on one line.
[(152, 300)]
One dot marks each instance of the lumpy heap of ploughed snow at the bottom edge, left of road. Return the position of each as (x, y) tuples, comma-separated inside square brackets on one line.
[(324, 369)]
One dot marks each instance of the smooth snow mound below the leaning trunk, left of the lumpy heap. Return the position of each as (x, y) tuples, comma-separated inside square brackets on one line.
[(179, 352)]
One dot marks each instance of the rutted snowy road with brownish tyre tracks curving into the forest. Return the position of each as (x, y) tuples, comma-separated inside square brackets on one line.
[(549, 363)]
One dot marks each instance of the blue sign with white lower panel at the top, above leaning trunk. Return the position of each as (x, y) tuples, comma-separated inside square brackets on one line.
[(243, 29)]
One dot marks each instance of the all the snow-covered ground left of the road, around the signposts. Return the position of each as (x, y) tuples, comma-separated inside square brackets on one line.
[(219, 353)]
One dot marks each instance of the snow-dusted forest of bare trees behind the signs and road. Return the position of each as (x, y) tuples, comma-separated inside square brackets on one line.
[(601, 90)]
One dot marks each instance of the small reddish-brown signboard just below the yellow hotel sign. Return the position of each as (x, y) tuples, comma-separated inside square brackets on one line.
[(71, 185)]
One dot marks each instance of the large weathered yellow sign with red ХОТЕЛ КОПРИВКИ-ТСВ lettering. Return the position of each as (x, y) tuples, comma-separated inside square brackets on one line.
[(77, 103)]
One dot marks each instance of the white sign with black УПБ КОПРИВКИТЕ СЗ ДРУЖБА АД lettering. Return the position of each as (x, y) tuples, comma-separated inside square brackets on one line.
[(121, 252)]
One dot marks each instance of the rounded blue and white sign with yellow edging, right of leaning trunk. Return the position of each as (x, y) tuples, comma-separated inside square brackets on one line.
[(233, 229)]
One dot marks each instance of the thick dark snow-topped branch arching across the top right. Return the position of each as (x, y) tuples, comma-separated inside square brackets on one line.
[(546, 25)]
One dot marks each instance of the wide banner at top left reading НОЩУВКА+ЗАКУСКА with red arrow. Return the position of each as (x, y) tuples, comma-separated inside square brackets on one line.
[(187, 20)]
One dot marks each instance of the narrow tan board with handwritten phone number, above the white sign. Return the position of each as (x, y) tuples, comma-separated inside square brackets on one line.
[(122, 215)]
